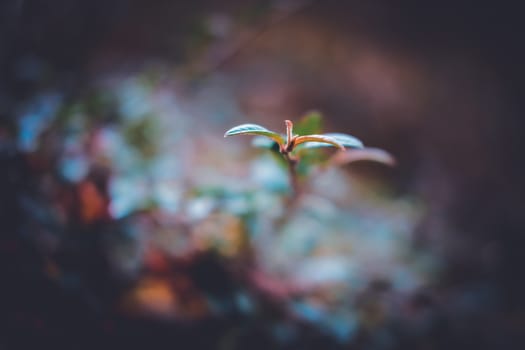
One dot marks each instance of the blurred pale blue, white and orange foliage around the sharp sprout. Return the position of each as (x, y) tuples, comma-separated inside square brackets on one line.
[(126, 160)]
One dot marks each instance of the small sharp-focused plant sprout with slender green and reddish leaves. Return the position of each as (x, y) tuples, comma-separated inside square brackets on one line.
[(350, 149)]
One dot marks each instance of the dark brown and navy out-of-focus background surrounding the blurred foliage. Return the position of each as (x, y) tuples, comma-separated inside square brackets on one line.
[(457, 134)]
